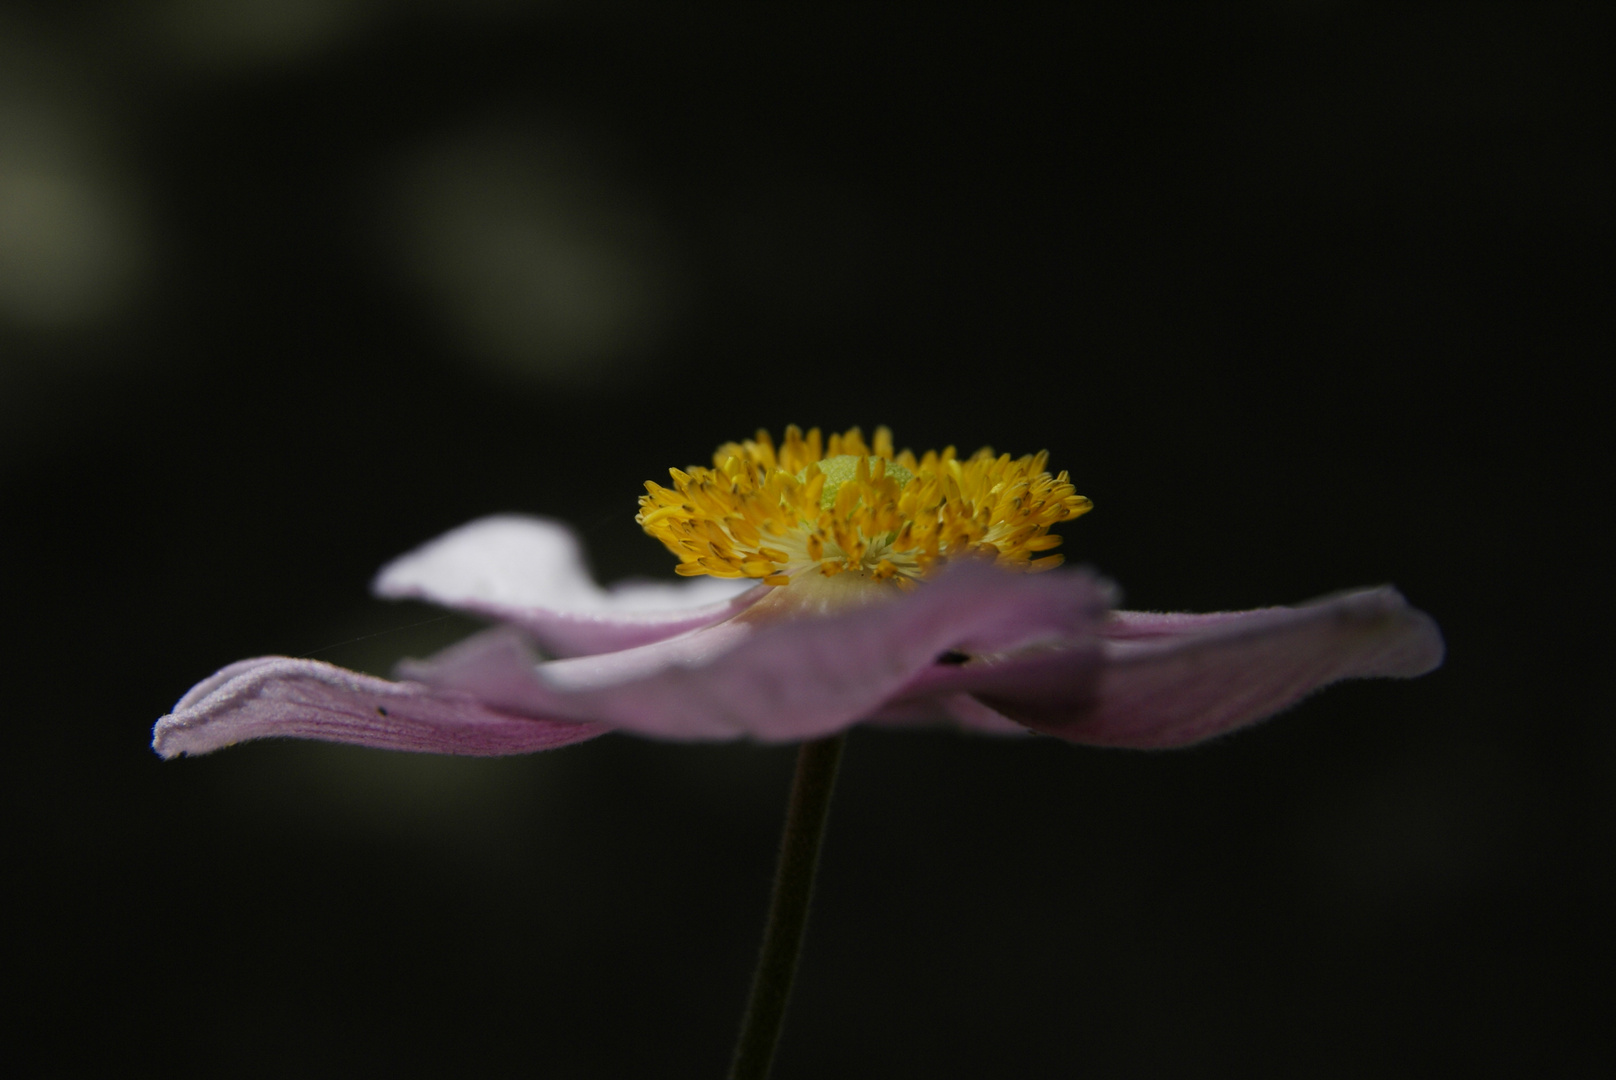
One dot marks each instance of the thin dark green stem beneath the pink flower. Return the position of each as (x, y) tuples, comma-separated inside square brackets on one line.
[(772, 987)]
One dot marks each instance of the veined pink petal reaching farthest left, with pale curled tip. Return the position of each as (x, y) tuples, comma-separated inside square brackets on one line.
[(306, 699)]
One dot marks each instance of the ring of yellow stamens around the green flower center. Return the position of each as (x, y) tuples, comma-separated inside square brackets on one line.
[(841, 505)]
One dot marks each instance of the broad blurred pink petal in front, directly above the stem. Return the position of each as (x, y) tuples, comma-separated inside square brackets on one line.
[(785, 678)]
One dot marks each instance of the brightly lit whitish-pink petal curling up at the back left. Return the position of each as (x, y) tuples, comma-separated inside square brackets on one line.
[(531, 573)]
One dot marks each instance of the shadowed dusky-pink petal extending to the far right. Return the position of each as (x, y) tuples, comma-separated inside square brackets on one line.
[(1174, 680)]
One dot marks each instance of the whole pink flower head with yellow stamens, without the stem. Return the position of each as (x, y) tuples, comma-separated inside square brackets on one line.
[(828, 583)]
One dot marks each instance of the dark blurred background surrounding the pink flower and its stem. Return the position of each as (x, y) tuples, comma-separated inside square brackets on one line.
[(1305, 297)]
